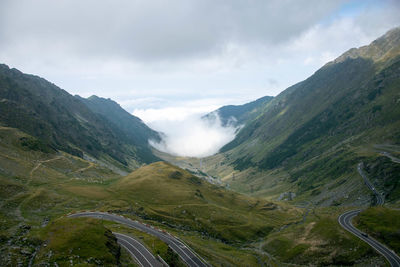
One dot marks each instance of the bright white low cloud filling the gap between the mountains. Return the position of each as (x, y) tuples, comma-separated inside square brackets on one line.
[(184, 132)]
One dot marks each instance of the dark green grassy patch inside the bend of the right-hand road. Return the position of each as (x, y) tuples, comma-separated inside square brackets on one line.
[(383, 224)]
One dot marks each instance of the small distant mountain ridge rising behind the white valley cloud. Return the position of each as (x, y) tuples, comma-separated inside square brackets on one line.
[(239, 114)]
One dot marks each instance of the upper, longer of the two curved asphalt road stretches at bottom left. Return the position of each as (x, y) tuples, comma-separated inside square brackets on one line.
[(186, 254)]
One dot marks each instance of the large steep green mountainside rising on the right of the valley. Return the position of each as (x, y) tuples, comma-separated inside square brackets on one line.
[(316, 131)]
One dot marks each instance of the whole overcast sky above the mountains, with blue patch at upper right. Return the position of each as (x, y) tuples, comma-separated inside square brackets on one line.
[(161, 58)]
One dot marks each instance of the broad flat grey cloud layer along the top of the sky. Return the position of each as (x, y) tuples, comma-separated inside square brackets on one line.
[(153, 30)]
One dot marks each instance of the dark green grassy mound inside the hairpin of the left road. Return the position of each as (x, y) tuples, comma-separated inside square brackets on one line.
[(82, 241)]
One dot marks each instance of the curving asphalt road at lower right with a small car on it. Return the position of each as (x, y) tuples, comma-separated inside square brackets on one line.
[(345, 222)]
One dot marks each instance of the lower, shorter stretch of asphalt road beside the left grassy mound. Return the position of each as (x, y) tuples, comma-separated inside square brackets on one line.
[(137, 250)]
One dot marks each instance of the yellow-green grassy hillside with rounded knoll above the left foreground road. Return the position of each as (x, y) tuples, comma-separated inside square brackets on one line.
[(38, 187)]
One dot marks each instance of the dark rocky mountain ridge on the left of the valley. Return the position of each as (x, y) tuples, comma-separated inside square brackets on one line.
[(66, 123)]
